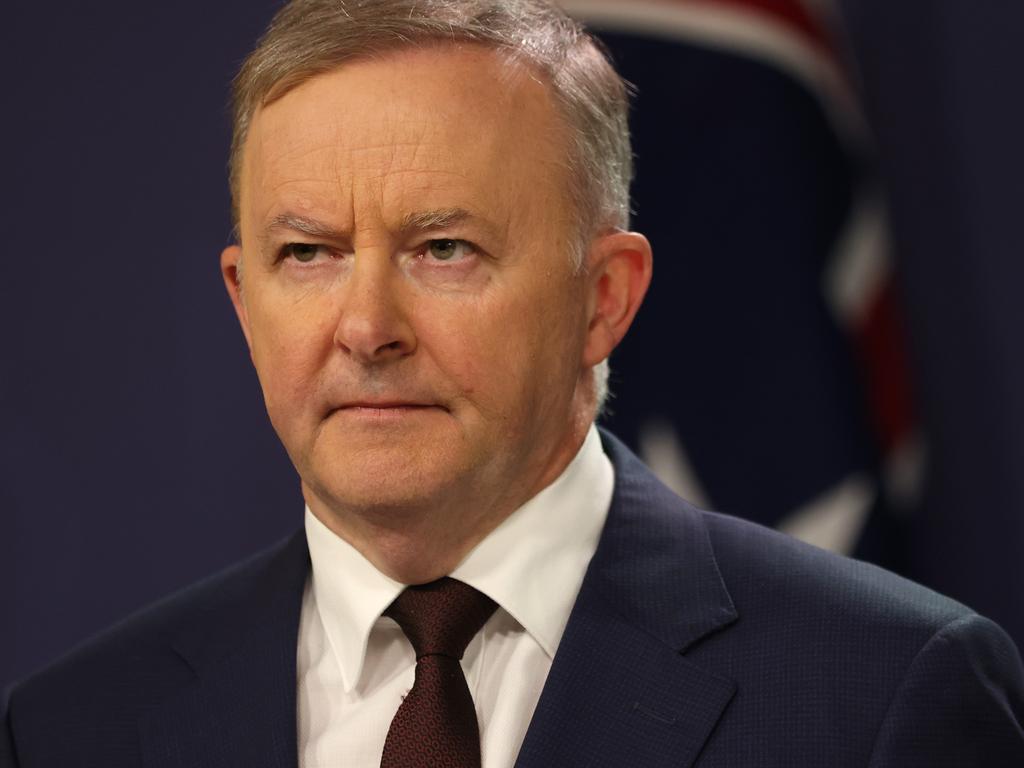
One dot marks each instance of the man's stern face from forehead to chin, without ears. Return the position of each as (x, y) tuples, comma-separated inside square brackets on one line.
[(408, 291)]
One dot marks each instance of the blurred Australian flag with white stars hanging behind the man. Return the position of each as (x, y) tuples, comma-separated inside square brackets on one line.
[(766, 374)]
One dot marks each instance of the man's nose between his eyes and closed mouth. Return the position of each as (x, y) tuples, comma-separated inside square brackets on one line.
[(373, 327)]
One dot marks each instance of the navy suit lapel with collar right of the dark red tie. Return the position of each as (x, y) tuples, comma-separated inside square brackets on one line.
[(621, 691)]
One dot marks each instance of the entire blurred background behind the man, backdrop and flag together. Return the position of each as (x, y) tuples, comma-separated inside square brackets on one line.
[(832, 345)]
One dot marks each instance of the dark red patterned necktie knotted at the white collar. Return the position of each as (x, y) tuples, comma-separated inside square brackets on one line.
[(436, 727)]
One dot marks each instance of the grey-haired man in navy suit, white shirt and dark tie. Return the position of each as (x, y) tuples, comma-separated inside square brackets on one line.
[(434, 266)]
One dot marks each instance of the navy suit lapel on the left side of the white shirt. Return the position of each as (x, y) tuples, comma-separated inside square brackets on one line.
[(241, 709)]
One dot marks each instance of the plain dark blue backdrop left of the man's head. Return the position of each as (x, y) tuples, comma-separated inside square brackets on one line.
[(136, 454)]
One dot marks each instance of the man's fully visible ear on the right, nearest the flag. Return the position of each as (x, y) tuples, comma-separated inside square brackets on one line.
[(620, 269)]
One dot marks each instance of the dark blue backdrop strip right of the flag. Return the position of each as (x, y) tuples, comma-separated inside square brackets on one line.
[(941, 83)]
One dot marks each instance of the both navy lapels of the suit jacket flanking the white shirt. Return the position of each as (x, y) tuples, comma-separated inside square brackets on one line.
[(621, 691)]
